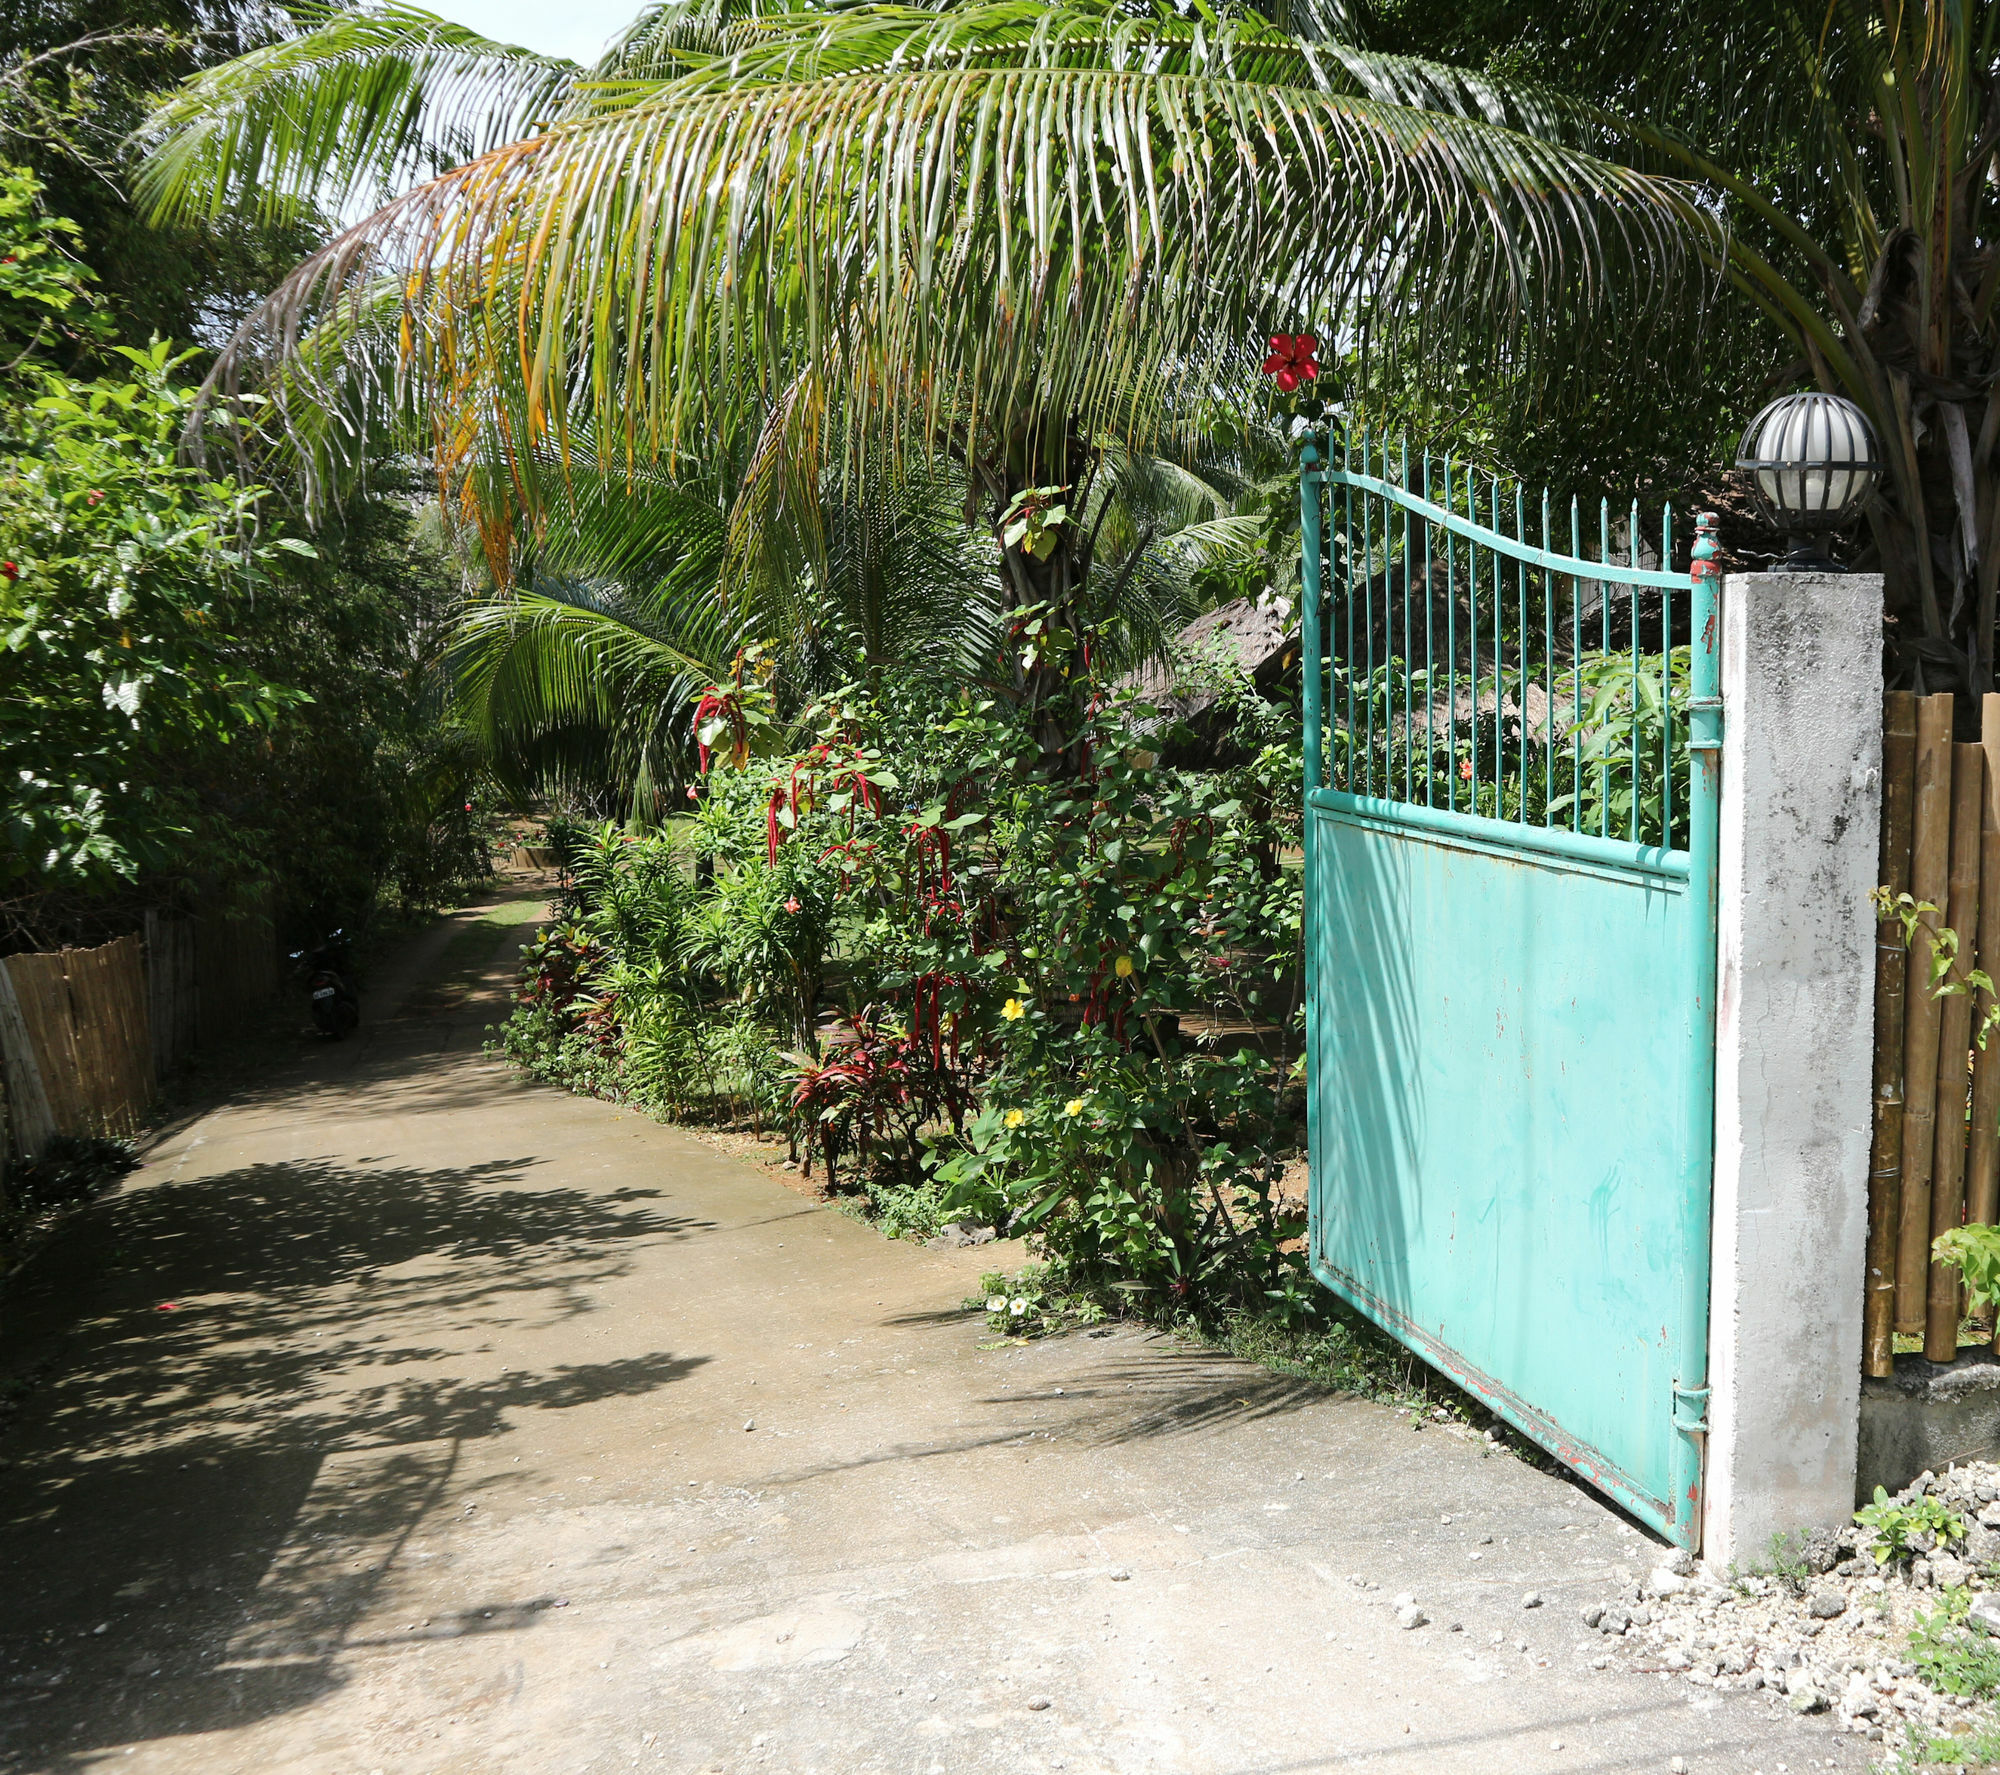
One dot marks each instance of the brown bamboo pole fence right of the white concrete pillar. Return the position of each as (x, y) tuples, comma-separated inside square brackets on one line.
[(1935, 1156)]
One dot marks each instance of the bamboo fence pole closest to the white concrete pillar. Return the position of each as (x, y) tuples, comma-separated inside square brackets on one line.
[(1893, 968)]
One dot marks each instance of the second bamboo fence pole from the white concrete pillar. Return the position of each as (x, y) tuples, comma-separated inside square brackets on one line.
[(1931, 881)]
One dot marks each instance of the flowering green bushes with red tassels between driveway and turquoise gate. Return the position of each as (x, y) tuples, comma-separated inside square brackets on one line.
[(1019, 944)]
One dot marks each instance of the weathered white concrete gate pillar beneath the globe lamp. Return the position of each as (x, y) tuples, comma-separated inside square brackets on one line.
[(1795, 1010)]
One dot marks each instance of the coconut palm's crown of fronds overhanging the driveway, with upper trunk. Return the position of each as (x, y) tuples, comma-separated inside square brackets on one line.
[(1005, 241)]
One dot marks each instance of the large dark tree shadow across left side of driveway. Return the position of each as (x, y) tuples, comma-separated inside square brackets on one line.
[(245, 1392)]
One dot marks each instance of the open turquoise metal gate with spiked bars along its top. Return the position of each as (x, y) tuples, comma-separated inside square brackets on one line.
[(1511, 936)]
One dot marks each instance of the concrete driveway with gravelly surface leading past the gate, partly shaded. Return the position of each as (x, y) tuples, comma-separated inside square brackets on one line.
[(409, 1418)]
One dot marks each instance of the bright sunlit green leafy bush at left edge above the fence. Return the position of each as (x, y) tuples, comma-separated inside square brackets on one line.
[(125, 577)]
